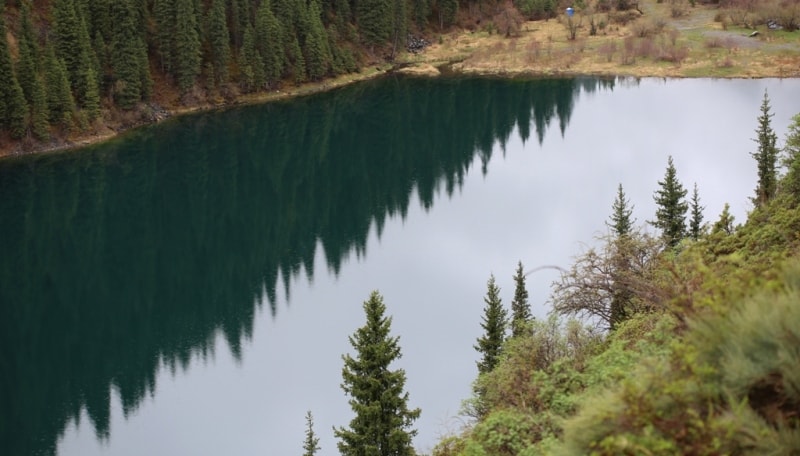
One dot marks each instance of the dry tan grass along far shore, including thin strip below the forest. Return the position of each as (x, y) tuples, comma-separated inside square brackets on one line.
[(649, 42)]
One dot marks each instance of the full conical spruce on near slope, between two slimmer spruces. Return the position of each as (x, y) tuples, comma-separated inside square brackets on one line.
[(671, 207)]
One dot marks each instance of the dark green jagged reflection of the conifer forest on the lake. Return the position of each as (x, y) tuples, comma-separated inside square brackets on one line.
[(133, 255)]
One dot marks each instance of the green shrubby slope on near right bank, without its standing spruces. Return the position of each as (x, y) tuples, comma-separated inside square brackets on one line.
[(714, 370)]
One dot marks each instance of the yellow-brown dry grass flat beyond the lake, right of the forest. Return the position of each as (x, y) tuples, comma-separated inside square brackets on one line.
[(659, 44)]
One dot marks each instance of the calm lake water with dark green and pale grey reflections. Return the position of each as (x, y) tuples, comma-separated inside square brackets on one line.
[(189, 288)]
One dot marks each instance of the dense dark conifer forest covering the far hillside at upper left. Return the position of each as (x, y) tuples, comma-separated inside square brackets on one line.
[(71, 67)]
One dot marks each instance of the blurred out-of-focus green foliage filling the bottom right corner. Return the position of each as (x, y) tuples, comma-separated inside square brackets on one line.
[(730, 388)]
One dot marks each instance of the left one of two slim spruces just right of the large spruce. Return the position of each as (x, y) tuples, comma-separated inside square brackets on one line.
[(490, 345)]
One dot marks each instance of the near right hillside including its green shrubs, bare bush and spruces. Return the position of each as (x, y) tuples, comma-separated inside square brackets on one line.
[(703, 354)]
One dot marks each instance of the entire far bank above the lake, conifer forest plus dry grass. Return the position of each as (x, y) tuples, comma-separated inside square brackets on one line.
[(73, 71)]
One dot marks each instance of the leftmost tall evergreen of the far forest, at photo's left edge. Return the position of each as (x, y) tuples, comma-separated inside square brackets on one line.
[(13, 109)]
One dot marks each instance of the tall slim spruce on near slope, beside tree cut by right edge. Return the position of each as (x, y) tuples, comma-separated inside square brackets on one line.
[(766, 156)]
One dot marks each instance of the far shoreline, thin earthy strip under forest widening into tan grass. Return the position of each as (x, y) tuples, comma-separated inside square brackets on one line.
[(539, 50)]
